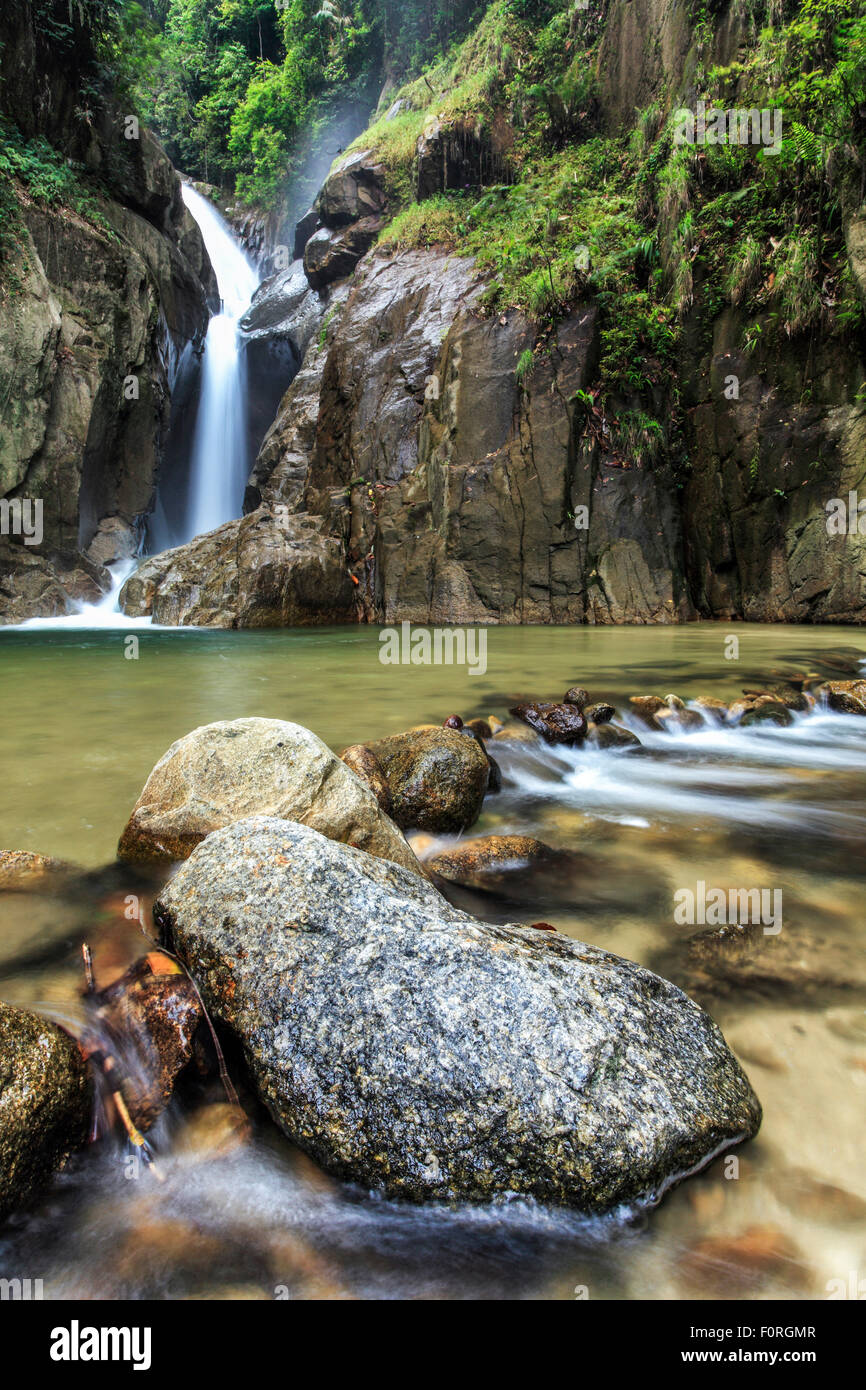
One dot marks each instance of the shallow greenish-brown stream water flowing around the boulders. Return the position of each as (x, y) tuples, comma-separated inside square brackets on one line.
[(774, 808)]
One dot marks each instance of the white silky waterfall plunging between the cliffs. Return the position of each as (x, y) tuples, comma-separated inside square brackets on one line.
[(220, 464)]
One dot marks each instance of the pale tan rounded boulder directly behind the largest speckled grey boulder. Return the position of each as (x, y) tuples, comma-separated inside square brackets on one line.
[(224, 772)]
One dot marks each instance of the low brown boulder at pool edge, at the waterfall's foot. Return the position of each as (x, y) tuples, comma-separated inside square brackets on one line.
[(265, 571)]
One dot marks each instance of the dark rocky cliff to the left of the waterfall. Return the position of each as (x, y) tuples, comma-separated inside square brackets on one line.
[(102, 290)]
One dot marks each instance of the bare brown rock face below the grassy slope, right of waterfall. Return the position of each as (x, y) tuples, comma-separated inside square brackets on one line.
[(472, 516)]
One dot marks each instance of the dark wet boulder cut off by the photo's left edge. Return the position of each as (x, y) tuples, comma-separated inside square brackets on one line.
[(45, 1104)]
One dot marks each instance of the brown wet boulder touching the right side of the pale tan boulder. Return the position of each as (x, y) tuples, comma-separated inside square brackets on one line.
[(439, 779)]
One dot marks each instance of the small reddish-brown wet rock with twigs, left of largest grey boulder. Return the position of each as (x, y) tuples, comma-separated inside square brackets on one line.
[(151, 1015)]
